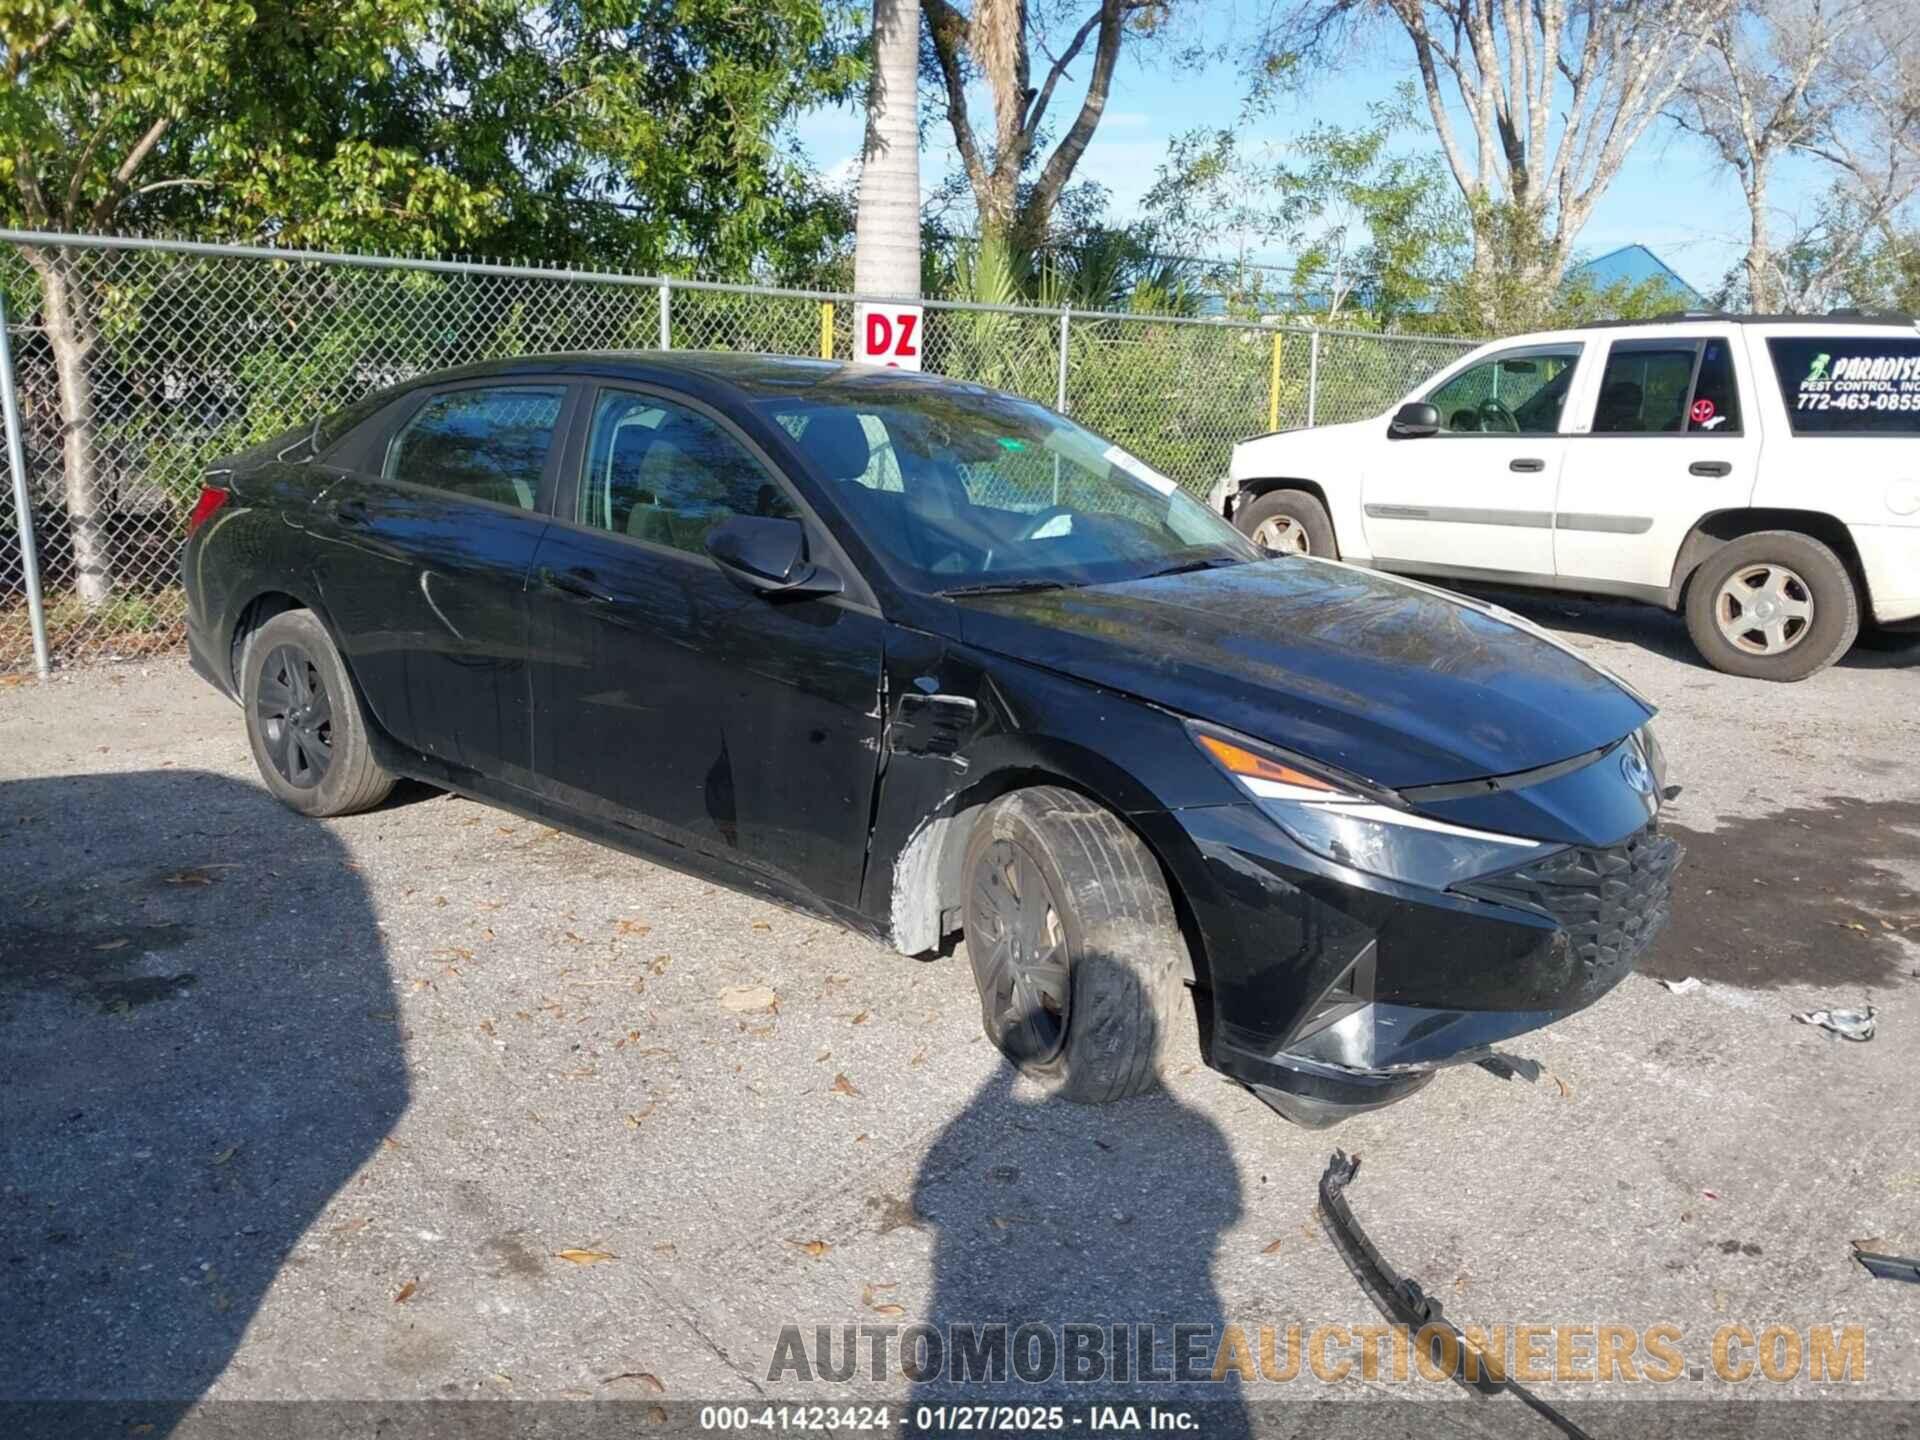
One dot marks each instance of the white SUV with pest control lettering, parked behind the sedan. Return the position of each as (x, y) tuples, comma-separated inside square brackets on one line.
[(1758, 473)]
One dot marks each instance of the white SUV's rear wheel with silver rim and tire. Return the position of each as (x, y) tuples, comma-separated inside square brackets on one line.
[(1773, 606)]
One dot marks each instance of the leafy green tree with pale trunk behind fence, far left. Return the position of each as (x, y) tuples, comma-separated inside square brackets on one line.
[(118, 116)]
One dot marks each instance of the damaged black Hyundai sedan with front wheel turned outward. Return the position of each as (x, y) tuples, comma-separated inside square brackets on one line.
[(938, 661)]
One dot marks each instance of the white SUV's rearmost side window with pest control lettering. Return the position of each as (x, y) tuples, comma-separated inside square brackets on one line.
[(1850, 385)]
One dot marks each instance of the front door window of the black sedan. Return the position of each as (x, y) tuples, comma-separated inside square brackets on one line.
[(667, 475)]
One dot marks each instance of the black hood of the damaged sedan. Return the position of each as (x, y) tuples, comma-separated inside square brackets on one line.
[(1389, 681)]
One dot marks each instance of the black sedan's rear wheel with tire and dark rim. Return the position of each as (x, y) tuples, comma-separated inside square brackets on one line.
[(304, 721)]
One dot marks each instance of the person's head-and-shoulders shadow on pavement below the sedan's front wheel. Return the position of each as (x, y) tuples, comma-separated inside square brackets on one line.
[(1051, 1214)]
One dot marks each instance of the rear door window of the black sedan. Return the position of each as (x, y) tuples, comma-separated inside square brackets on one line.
[(483, 444)]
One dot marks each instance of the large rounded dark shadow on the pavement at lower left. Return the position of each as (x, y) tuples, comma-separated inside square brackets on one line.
[(201, 1049)]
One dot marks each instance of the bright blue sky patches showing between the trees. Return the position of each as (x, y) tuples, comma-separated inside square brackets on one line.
[(1673, 195)]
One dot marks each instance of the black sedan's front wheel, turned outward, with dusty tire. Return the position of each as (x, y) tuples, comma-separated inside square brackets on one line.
[(1074, 944)]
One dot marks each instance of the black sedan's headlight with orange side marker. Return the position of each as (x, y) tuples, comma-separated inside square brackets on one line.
[(1358, 825)]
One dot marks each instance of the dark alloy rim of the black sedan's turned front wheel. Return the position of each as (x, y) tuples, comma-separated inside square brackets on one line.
[(1020, 957)]
